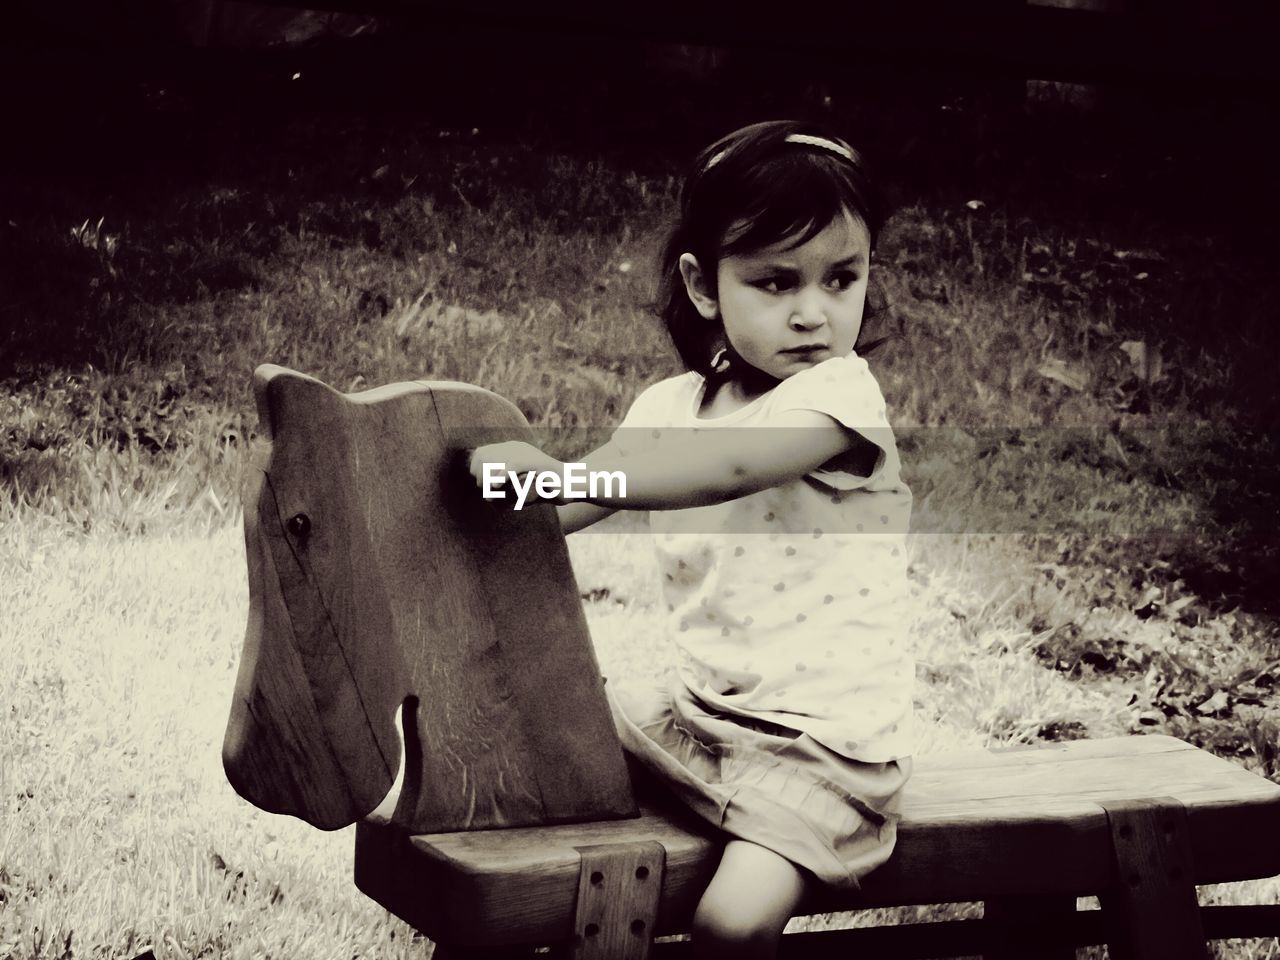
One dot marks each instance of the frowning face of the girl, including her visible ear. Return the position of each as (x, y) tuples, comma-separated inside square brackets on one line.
[(788, 309)]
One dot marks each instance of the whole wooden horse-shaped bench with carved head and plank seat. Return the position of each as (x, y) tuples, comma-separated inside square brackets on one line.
[(418, 662)]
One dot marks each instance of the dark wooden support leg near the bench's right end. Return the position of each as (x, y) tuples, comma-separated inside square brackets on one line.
[(1153, 909)]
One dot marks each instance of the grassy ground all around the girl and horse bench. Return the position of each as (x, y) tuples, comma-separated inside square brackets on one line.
[(1094, 464)]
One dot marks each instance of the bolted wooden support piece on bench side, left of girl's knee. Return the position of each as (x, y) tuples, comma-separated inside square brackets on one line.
[(618, 900)]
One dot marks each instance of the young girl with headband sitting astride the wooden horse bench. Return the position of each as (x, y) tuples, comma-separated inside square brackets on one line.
[(779, 519)]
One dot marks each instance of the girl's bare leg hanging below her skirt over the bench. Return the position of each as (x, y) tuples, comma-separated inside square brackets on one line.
[(751, 899)]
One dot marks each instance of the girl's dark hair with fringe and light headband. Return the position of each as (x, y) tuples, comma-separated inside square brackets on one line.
[(748, 191)]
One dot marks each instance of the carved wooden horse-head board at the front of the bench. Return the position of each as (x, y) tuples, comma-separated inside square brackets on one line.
[(380, 582)]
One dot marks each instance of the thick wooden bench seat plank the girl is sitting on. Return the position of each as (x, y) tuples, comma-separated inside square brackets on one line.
[(975, 826)]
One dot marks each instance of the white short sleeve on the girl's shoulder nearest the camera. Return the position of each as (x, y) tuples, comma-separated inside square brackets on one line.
[(844, 390)]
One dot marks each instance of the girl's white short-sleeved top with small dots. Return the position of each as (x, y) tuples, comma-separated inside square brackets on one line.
[(790, 606)]
